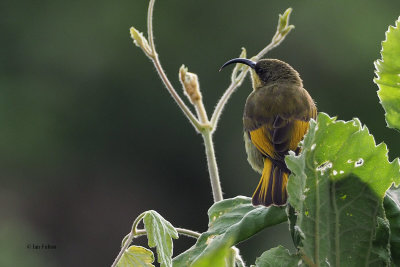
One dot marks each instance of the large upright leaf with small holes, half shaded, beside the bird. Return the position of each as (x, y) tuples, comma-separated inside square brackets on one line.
[(336, 188)]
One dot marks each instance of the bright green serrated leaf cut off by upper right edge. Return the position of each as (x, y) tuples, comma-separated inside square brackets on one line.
[(388, 72)]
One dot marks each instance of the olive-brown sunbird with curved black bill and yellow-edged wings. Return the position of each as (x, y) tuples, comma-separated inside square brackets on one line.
[(276, 117)]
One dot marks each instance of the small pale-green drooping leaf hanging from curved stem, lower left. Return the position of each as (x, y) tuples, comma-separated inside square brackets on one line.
[(160, 233)]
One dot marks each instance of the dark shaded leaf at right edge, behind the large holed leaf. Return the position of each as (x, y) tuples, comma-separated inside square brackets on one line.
[(392, 210)]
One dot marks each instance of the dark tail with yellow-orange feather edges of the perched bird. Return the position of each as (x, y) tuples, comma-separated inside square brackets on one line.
[(271, 189)]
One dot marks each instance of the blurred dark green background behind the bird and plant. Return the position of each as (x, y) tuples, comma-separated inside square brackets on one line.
[(89, 138)]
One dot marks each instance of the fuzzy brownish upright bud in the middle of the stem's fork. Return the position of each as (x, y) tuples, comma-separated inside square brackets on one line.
[(190, 85)]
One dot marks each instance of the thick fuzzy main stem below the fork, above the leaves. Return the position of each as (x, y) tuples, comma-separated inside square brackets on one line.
[(212, 165)]
